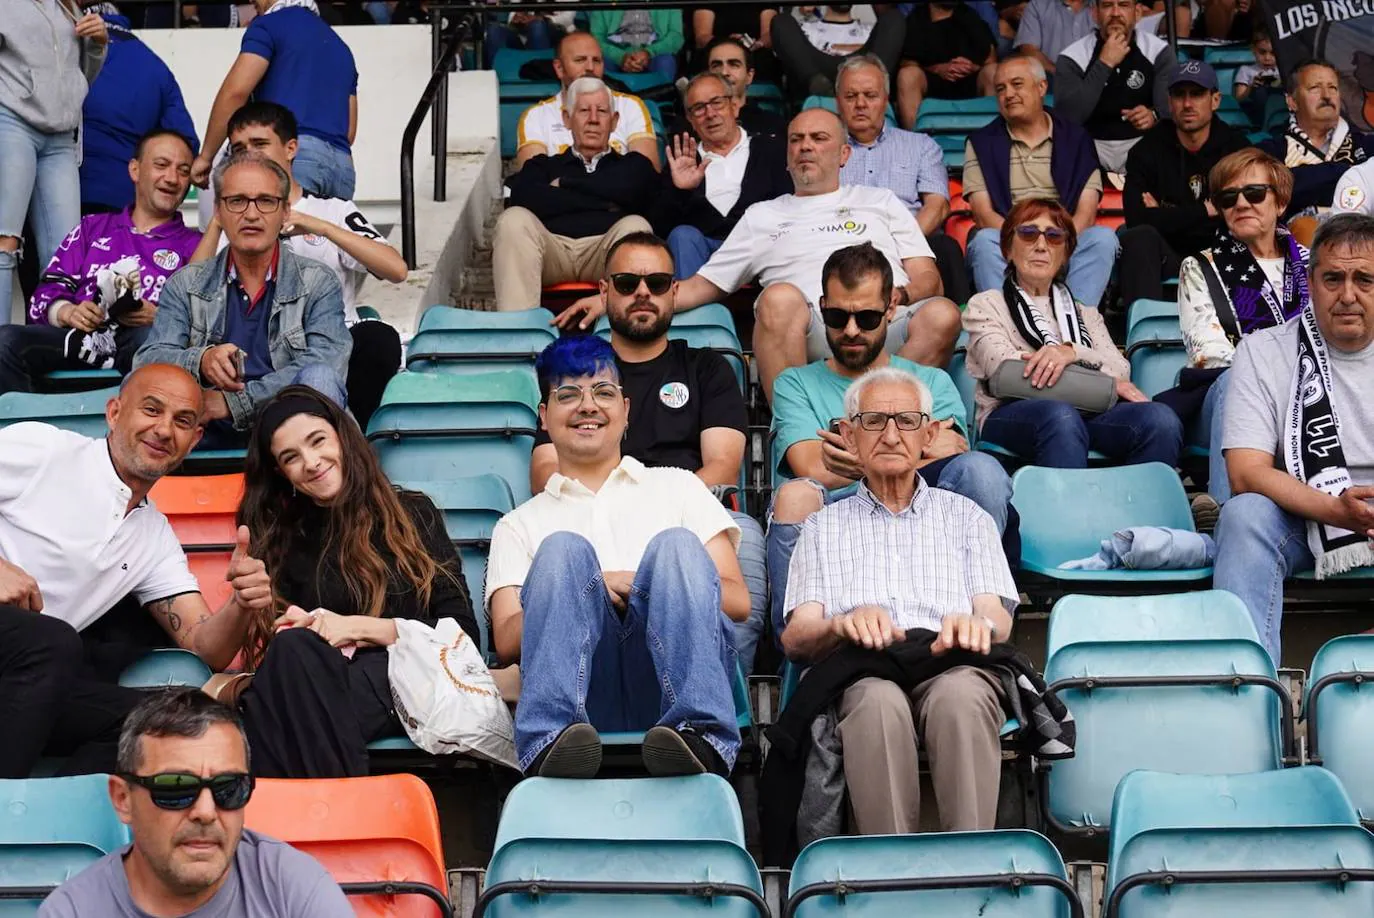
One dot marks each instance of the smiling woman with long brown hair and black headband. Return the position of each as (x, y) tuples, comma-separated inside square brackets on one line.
[(348, 553)]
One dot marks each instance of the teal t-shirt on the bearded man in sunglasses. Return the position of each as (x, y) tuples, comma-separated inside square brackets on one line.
[(806, 399)]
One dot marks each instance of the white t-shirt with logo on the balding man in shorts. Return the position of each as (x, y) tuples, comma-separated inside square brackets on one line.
[(789, 238)]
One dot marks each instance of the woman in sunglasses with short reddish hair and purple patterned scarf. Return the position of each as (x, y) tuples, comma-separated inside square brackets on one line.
[(1254, 277)]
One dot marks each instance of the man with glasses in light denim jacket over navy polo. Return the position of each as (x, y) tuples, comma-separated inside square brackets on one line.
[(258, 317)]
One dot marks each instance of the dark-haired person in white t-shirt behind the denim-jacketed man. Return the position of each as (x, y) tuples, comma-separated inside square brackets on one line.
[(336, 234)]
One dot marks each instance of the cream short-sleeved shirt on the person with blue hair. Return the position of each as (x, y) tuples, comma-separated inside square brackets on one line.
[(620, 520)]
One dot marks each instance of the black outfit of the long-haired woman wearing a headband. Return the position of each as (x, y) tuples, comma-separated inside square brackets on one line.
[(310, 711)]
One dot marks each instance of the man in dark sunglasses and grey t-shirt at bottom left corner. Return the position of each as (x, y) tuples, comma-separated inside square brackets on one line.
[(182, 785)]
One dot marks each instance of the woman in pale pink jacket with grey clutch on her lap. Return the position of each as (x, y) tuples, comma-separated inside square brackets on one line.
[(1037, 320)]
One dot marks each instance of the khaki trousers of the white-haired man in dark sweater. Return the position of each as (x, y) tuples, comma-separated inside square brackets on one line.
[(527, 258)]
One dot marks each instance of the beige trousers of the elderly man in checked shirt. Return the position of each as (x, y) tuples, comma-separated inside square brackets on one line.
[(957, 717)]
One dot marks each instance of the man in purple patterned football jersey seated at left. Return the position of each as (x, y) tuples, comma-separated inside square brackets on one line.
[(95, 304)]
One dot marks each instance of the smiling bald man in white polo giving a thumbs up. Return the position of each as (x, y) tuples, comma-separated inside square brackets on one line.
[(82, 549)]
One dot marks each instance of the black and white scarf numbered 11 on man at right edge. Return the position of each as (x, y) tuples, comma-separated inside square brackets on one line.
[(1313, 451)]
